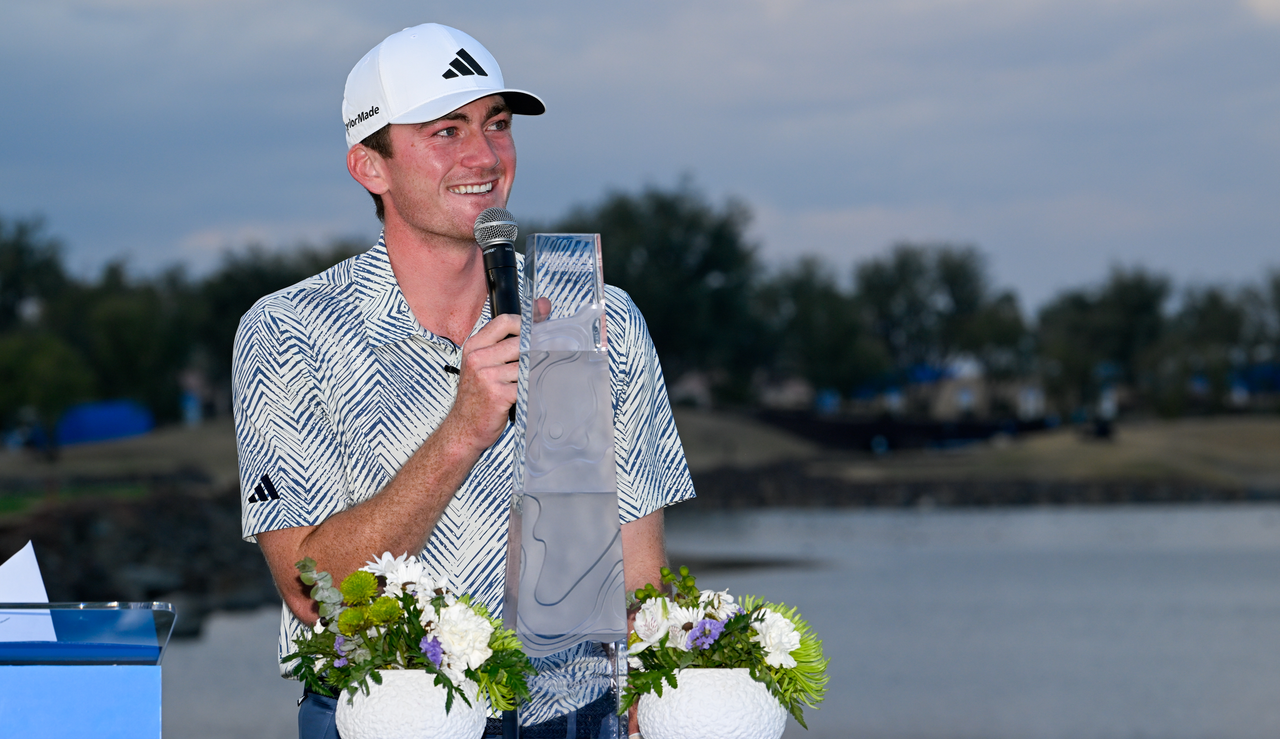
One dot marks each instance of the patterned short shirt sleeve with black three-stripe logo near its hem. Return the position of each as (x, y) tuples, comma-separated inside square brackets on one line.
[(290, 464)]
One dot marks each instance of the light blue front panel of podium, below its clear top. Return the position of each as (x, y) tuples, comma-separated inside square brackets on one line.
[(80, 701)]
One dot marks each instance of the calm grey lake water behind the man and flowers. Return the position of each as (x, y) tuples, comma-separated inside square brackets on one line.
[(1021, 624)]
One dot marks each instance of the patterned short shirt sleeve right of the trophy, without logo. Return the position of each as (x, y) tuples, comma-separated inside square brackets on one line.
[(652, 468)]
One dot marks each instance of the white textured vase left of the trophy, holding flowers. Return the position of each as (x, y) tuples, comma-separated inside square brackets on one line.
[(410, 706)]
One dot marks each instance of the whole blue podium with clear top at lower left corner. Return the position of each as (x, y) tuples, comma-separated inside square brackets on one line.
[(100, 679)]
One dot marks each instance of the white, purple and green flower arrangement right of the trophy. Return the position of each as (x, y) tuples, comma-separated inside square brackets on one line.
[(692, 628)]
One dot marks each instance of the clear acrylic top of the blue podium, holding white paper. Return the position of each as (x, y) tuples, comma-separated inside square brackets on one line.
[(115, 633)]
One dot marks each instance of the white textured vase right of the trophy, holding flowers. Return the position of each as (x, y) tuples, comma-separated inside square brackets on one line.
[(712, 705)]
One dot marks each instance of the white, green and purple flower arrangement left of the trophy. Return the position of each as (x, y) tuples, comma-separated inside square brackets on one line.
[(392, 615)]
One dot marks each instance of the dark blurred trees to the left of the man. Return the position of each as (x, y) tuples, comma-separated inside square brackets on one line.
[(66, 341)]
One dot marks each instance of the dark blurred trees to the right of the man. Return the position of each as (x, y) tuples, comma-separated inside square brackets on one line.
[(903, 317)]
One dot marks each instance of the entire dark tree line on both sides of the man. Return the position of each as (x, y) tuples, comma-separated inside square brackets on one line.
[(711, 305)]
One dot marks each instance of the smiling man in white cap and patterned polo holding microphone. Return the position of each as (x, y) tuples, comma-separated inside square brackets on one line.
[(372, 400)]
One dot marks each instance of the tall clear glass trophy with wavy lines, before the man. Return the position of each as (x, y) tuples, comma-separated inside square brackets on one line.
[(565, 594)]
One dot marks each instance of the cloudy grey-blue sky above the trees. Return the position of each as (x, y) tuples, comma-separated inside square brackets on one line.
[(1059, 136)]
